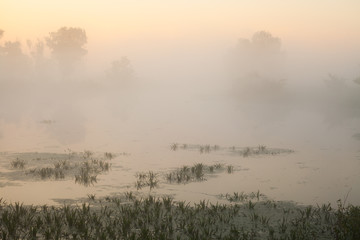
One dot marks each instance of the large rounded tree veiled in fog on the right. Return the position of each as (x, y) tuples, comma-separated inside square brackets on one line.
[(257, 64)]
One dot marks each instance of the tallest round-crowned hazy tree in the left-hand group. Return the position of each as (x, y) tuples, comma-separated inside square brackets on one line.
[(67, 46)]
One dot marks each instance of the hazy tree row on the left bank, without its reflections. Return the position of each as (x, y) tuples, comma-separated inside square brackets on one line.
[(57, 56)]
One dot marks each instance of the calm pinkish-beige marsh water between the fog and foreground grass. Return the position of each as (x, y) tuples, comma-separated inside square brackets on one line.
[(323, 167)]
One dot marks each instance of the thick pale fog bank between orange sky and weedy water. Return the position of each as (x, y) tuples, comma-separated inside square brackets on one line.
[(57, 93)]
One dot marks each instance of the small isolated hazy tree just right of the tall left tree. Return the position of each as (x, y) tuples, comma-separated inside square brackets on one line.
[(121, 70)]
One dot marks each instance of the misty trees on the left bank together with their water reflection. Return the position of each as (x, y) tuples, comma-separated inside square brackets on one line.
[(45, 82)]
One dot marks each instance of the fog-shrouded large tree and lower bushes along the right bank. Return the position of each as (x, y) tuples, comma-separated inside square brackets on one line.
[(261, 77)]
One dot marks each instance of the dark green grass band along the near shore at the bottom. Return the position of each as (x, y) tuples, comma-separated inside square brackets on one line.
[(130, 217)]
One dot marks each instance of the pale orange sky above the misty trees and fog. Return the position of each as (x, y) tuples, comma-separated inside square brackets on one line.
[(322, 29)]
